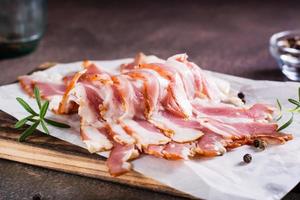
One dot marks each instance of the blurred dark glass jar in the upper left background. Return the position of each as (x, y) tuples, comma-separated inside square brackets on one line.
[(22, 24)]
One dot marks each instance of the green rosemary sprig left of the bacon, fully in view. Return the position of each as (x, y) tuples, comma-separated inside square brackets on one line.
[(36, 118)]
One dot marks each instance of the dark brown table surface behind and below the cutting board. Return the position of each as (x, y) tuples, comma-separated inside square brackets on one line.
[(225, 36)]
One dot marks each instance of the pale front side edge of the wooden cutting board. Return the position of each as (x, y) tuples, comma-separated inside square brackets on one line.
[(51, 159)]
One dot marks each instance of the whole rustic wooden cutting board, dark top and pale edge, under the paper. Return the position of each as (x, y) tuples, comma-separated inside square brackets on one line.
[(48, 152)]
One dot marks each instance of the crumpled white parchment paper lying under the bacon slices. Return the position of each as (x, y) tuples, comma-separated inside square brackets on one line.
[(271, 174)]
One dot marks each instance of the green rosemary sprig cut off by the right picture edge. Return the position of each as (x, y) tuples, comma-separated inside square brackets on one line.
[(294, 102)]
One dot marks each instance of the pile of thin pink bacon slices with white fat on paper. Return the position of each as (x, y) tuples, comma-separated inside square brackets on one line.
[(170, 109)]
